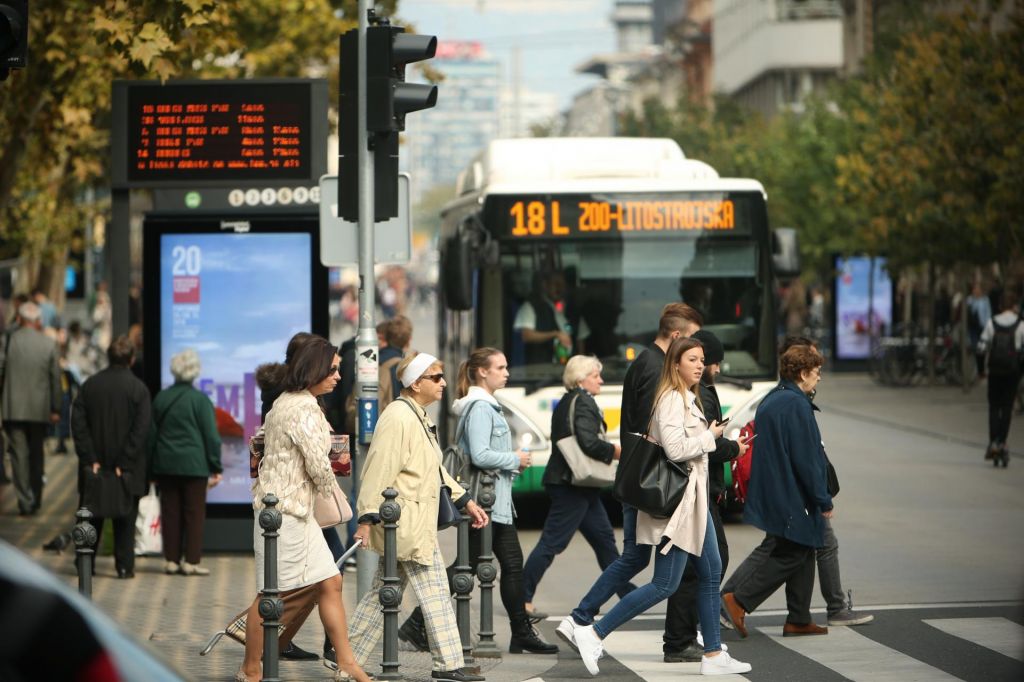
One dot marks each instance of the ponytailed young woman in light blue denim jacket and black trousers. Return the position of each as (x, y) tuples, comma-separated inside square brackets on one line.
[(484, 438)]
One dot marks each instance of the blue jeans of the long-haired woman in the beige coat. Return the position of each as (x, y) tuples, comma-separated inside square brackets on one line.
[(668, 573)]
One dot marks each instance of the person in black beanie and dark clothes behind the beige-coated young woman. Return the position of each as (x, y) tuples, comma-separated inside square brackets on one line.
[(680, 644)]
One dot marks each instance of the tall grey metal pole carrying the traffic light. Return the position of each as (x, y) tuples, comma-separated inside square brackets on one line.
[(366, 343)]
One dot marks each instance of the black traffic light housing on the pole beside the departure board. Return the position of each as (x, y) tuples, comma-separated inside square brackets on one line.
[(389, 100)]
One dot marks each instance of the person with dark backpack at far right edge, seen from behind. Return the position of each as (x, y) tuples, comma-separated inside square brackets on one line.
[(1003, 340)]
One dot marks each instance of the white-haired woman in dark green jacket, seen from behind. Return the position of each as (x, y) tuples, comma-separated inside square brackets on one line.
[(185, 456)]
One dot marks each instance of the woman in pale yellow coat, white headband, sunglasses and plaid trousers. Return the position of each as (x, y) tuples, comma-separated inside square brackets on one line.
[(405, 455)]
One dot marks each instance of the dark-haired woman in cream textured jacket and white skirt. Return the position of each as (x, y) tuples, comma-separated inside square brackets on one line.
[(296, 468)]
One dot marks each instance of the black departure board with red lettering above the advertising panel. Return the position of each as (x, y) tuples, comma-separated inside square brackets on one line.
[(219, 133)]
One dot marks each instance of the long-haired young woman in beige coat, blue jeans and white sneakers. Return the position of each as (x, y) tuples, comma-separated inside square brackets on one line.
[(689, 536)]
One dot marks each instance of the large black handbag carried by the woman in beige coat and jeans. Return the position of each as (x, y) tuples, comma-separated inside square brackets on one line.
[(648, 480)]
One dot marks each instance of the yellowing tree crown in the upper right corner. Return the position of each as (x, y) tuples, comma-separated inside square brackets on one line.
[(936, 166)]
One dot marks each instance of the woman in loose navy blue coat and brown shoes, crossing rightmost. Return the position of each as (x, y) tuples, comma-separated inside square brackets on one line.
[(788, 496)]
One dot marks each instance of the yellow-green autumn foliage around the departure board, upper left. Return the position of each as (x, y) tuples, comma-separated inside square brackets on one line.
[(55, 116)]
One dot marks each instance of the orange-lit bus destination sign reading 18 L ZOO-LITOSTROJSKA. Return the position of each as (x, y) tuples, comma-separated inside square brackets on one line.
[(559, 217)]
